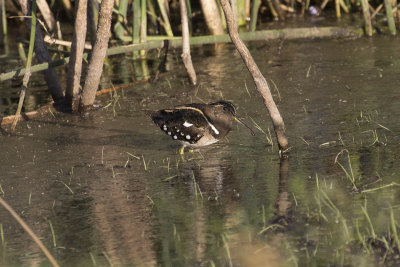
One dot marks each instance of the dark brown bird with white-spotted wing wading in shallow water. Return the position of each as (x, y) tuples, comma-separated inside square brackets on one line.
[(196, 125)]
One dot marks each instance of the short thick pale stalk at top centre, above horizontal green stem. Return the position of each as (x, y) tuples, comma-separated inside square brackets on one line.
[(212, 16)]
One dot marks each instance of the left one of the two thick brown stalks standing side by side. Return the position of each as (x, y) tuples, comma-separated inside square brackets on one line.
[(76, 56)]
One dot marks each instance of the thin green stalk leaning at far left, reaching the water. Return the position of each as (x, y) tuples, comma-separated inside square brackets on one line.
[(27, 74)]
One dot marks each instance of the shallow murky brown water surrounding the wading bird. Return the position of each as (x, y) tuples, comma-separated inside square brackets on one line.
[(233, 203)]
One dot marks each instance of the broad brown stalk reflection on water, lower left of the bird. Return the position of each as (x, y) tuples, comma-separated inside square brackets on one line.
[(125, 232)]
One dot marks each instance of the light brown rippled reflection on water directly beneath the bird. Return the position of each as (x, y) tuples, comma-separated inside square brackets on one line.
[(213, 187)]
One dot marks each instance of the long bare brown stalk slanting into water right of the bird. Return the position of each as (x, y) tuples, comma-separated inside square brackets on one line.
[(258, 78)]
